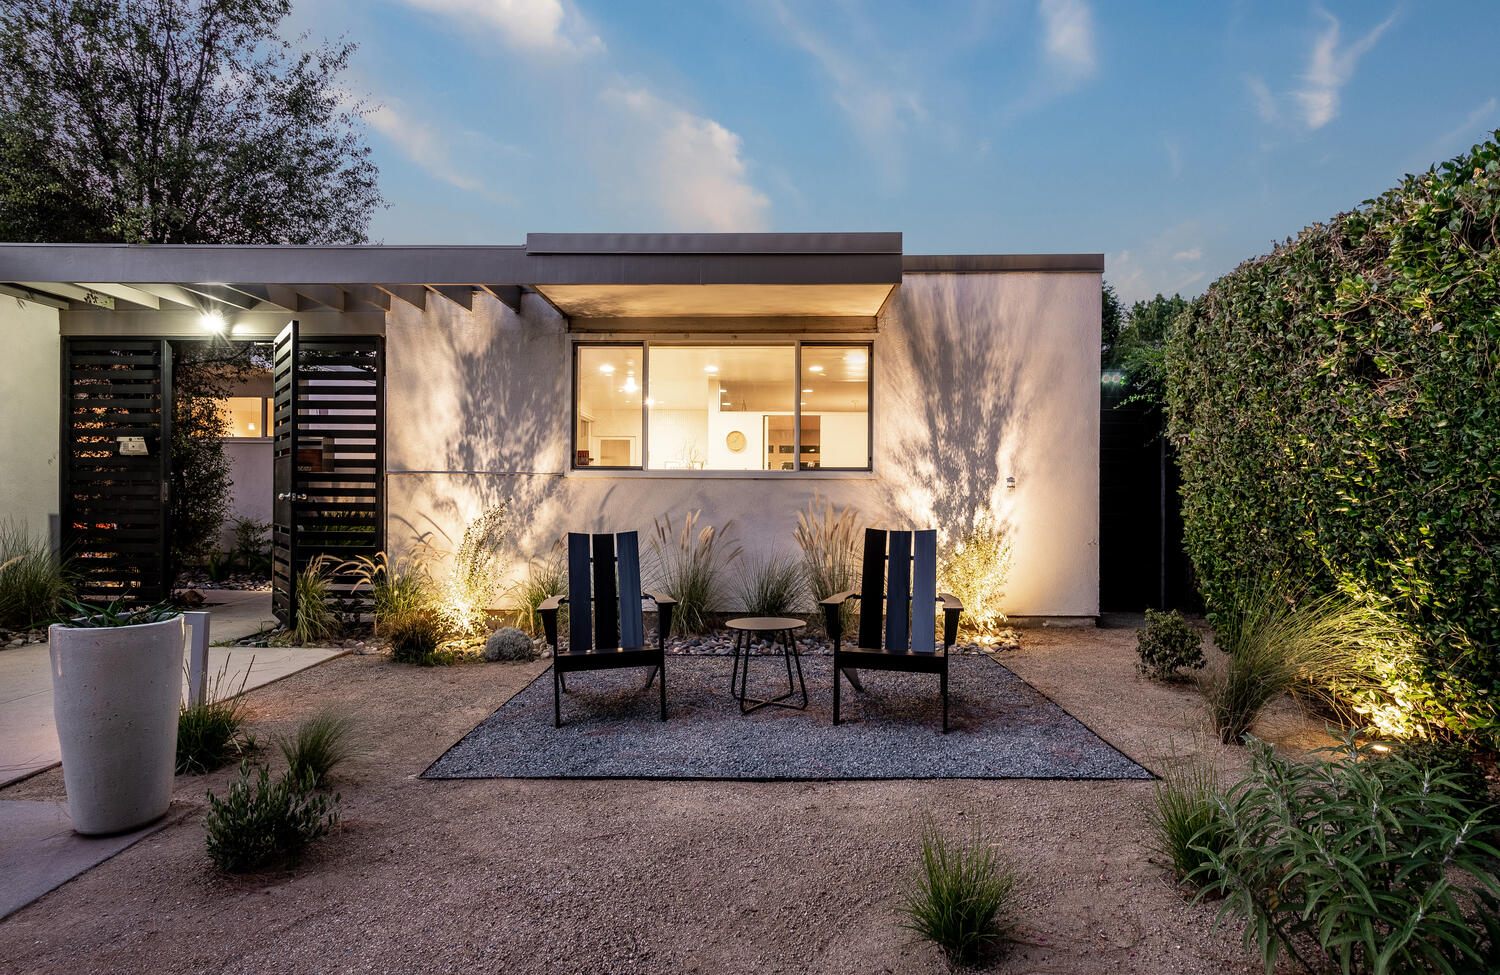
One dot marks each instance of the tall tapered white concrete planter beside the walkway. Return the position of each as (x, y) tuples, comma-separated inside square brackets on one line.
[(116, 692)]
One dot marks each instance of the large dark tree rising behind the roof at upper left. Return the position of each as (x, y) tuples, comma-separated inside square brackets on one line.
[(176, 122)]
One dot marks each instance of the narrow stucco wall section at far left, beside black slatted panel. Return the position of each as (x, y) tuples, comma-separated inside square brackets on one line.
[(29, 413)]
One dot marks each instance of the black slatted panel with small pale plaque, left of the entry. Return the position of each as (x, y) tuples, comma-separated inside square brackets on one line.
[(116, 455)]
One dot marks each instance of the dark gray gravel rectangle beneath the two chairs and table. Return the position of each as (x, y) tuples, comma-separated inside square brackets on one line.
[(1001, 728)]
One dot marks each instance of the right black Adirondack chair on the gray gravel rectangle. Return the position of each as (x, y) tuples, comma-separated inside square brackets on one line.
[(898, 613)]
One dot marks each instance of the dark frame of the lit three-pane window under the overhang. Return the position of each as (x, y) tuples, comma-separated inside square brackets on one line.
[(740, 340)]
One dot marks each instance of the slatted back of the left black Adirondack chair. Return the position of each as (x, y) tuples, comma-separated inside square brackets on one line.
[(604, 592)]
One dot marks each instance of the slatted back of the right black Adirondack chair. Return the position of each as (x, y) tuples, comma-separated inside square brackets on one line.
[(899, 590)]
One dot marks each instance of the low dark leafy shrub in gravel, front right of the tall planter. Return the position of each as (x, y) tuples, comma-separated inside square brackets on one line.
[(265, 824)]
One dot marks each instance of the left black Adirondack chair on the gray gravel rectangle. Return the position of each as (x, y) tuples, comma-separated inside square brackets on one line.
[(604, 575)]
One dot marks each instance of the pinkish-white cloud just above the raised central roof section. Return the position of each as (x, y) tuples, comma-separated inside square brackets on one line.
[(688, 167)]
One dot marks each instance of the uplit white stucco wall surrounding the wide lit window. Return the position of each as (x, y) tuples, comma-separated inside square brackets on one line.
[(977, 379)]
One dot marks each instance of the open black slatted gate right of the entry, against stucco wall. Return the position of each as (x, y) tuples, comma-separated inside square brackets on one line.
[(329, 458)]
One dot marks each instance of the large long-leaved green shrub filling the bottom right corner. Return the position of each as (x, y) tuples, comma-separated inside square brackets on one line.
[(1373, 862)]
